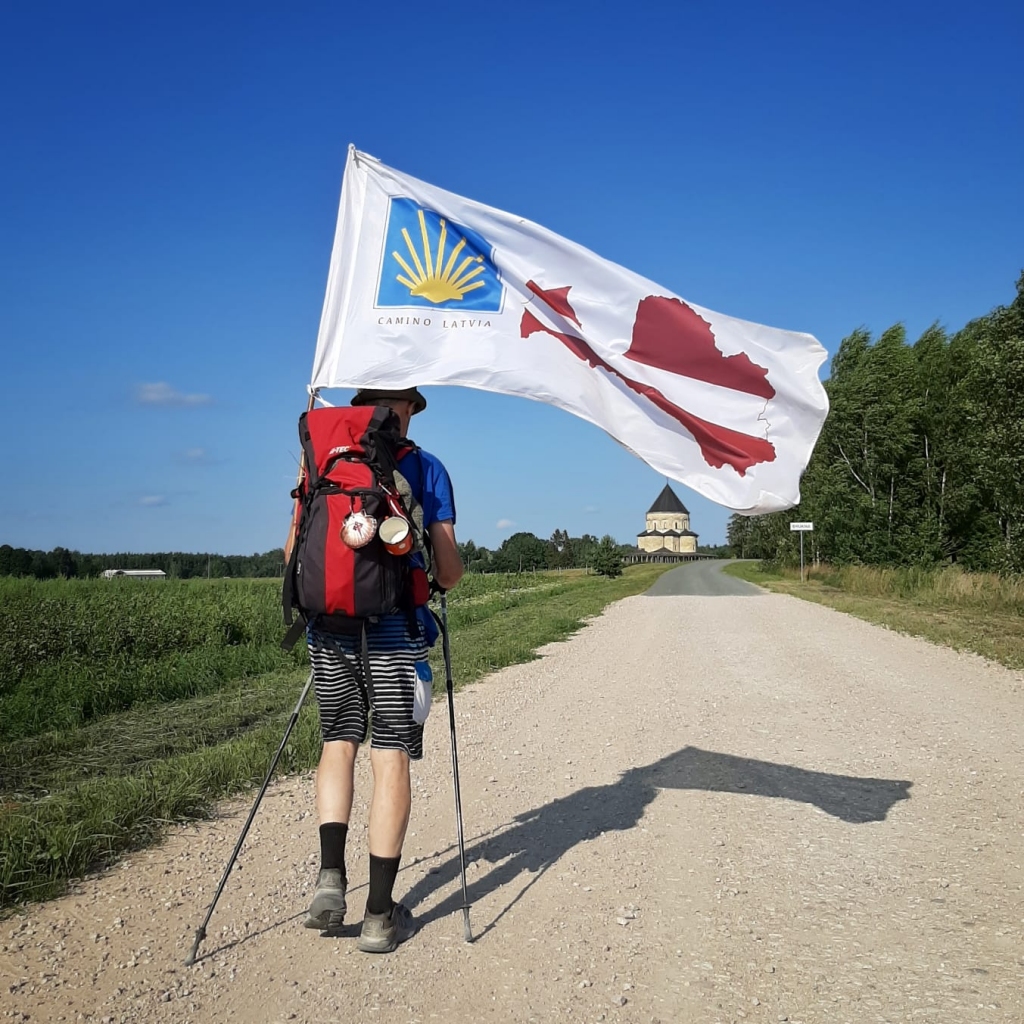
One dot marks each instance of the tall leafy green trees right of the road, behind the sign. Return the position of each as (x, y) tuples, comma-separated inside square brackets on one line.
[(921, 460)]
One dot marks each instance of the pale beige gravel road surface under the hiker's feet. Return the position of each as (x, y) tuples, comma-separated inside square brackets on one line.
[(699, 809)]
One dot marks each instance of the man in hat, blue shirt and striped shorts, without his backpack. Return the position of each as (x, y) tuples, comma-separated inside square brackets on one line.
[(398, 657)]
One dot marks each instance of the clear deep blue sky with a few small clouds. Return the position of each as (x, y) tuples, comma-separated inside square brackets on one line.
[(169, 186)]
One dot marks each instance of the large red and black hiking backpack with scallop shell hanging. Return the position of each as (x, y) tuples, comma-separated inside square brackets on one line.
[(340, 574)]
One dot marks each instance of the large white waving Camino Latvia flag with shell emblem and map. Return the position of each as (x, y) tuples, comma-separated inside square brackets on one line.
[(428, 287)]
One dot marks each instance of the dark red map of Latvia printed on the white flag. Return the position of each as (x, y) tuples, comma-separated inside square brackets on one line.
[(669, 335)]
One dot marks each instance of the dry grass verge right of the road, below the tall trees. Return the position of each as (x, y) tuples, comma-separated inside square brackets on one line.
[(972, 612)]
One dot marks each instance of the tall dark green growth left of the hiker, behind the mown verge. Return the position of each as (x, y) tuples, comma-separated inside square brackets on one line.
[(73, 651)]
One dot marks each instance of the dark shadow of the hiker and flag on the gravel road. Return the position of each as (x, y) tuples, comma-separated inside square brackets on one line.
[(539, 838)]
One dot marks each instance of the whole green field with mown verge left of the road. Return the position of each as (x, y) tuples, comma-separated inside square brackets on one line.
[(126, 705)]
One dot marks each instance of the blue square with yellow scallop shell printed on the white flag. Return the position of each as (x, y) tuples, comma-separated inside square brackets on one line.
[(433, 264)]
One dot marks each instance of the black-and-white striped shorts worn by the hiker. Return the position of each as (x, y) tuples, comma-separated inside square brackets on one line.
[(342, 695)]
